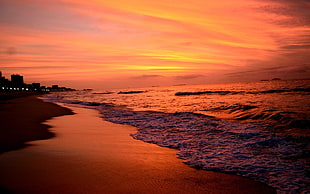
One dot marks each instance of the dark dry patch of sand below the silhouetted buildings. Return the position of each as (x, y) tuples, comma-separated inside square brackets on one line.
[(21, 120)]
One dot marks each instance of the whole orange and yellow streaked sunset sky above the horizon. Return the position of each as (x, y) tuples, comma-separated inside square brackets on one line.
[(106, 44)]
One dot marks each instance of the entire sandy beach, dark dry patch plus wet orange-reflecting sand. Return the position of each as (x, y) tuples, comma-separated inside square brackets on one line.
[(90, 155)]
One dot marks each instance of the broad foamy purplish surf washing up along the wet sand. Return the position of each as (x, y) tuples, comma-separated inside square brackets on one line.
[(213, 144)]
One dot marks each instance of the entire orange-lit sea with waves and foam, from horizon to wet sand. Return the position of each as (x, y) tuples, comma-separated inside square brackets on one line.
[(260, 130)]
